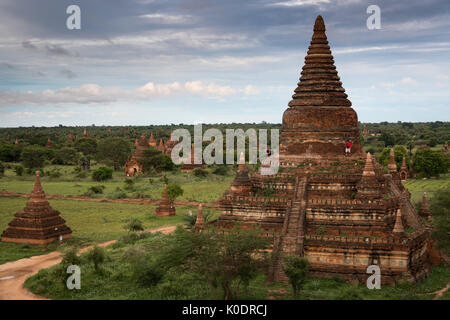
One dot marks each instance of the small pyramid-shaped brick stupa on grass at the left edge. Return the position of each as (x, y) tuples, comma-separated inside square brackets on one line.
[(38, 223)]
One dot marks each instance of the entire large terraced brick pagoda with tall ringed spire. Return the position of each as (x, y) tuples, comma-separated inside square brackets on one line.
[(343, 213)]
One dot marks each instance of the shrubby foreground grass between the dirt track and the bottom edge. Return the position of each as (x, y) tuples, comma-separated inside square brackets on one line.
[(116, 282)]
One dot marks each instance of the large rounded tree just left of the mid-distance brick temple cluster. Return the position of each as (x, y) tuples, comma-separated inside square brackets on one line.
[(113, 151)]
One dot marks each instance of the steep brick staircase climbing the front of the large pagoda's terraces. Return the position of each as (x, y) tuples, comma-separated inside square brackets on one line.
[(291, 240)]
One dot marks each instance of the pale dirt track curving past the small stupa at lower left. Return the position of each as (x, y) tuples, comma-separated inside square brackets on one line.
[(13, 274)]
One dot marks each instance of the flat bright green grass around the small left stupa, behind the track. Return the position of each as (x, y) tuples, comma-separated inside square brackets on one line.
[(89, 221)]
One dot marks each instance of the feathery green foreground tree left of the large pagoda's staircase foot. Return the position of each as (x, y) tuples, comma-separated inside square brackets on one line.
[(216, 257)]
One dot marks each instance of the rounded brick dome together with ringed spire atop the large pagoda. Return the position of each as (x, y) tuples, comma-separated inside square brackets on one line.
[(320, 119)]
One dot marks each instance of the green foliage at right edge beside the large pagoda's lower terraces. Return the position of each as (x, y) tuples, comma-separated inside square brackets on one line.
[(440, 209)]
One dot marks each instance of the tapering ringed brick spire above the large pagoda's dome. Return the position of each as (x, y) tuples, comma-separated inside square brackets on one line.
[(319, 83)]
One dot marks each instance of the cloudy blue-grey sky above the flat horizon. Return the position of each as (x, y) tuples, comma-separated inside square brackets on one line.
[(140, 62)]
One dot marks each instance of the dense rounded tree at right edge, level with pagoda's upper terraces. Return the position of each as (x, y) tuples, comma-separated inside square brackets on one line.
[(430, 163)]
